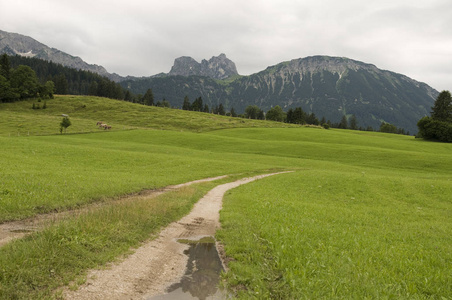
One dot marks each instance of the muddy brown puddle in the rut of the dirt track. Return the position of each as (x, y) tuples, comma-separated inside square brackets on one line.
[(202, 275)]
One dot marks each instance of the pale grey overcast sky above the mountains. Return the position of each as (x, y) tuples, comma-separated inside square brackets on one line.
[(143, 37)]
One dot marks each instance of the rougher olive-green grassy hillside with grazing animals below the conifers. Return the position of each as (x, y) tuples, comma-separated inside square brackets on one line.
[(85, 111)]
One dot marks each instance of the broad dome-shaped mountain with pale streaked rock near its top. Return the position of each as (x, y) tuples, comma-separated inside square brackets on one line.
[(337, 86)]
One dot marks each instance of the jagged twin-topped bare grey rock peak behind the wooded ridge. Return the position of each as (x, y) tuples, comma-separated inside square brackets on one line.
[(218, 67)]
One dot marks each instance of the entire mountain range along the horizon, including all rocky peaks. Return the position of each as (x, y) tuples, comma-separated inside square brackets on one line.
[(331, 87)]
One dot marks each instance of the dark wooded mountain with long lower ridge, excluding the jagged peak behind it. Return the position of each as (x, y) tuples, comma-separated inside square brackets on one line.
[(328, 86)]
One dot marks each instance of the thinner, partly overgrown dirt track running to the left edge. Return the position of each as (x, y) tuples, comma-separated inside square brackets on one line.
[(18, 229)]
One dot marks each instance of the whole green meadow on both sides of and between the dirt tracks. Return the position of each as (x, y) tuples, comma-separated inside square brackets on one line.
[(364, 215)]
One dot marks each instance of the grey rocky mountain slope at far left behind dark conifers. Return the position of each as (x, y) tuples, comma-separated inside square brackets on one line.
[(17, 44)]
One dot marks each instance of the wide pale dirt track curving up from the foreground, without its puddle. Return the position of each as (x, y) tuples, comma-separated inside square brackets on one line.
[(161, 262)]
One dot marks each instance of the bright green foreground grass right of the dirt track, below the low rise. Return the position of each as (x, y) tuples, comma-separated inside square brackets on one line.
[(339, 235)]
